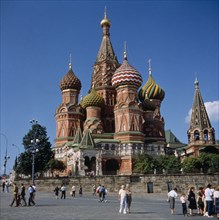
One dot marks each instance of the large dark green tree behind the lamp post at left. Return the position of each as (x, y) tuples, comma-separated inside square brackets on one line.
[(42, 155)]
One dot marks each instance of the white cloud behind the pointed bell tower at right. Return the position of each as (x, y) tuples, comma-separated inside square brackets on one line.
[(212, 109)]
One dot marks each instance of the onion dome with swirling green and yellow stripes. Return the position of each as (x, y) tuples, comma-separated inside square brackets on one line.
[(151, 90)]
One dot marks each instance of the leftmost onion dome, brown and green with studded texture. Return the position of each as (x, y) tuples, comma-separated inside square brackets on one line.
[(70, 81)]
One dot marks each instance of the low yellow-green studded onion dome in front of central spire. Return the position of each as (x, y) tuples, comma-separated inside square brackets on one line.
[(92, 99)]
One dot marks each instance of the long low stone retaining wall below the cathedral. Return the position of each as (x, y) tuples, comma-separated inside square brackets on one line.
[(139, 183)]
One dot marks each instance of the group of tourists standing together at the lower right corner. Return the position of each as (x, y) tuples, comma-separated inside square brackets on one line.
[(206, 200)]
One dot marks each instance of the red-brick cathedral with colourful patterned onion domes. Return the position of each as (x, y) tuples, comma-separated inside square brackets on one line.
[(119, 118)]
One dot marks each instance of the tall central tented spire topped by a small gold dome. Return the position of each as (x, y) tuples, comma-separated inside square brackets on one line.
[(103, 70)]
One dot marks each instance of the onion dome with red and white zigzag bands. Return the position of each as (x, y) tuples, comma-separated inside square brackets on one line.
[(126, 75)]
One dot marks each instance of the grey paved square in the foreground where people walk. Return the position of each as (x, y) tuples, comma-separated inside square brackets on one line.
[(145, 206)]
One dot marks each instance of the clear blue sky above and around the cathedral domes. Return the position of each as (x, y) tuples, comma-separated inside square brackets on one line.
[(181, 38)]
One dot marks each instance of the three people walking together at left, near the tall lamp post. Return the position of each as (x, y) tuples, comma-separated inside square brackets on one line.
[(19, 198)]
